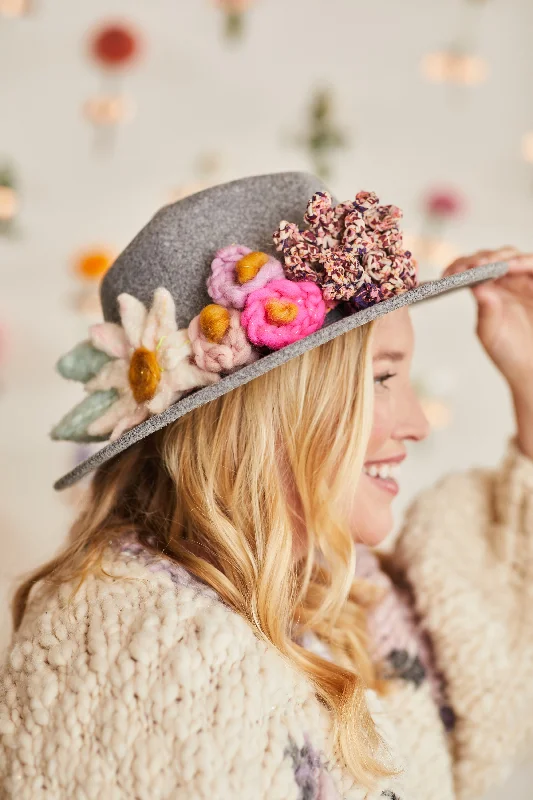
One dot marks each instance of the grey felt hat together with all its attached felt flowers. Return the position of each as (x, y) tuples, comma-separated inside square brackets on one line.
[(220, 287)]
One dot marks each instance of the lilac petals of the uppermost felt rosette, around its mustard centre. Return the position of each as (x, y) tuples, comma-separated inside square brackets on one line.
[(223, 284)]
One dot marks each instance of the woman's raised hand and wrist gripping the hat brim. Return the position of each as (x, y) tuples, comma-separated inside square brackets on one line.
[(505, 314)]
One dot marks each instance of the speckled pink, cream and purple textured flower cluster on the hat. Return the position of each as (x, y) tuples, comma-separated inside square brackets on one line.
[(348, 247)]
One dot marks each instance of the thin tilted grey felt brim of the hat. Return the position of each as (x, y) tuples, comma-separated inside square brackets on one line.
[(329, 331)]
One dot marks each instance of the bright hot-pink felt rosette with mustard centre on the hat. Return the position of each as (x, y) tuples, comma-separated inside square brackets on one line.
[(283, 312)]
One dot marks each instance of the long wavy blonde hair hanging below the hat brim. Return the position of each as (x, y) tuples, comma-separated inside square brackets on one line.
[(213, 489)]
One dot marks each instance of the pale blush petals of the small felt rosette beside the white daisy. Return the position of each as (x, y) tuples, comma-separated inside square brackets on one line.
[(234, 350)]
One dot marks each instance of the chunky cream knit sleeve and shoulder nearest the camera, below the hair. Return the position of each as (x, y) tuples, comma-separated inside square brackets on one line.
[(141, 688)]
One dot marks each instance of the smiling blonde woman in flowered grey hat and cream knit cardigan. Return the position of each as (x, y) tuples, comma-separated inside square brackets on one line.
[(217, 625)]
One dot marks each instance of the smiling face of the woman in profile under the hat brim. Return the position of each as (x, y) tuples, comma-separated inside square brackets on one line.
[(398, 417)]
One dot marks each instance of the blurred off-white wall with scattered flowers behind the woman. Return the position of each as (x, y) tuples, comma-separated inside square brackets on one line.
[(113, 108)]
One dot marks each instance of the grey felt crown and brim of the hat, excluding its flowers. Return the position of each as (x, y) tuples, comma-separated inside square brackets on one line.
[(175, 250)]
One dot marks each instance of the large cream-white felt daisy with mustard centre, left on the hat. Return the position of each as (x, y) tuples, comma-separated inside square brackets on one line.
[(150, 368)]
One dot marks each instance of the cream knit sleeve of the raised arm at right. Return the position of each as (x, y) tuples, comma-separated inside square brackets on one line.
[(467, 551)]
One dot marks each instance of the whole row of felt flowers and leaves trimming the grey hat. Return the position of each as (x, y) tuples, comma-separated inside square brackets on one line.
[(350, 254)]
